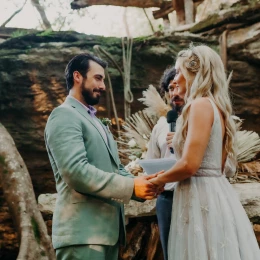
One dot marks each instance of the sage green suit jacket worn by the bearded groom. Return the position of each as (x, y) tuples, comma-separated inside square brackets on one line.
[(91, 183)]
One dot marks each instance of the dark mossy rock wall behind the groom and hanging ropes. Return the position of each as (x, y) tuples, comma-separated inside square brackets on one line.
[(32, 84)]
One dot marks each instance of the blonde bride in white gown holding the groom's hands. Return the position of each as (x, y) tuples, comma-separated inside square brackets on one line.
[(208, 220)]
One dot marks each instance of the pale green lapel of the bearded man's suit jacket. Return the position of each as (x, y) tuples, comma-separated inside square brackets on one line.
[(75, 104)]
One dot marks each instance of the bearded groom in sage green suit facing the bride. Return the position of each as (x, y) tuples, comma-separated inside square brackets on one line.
[(92, 185)]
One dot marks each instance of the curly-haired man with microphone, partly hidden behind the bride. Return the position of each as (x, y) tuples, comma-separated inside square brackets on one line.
[(158, 148)]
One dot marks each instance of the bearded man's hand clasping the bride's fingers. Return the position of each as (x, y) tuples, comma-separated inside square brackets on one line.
[(145, 189)]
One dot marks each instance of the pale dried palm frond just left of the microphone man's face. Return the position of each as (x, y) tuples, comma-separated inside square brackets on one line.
[(156, 107)]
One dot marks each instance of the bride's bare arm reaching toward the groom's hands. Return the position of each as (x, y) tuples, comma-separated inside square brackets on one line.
[(200, 120)]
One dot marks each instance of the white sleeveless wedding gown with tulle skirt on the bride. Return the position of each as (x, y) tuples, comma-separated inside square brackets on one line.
[(208, 220)]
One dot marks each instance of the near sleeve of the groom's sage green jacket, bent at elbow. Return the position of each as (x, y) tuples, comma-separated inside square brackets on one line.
[(64, 140)]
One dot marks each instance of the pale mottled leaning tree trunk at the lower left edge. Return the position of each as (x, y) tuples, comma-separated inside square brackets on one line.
[(35, 243)]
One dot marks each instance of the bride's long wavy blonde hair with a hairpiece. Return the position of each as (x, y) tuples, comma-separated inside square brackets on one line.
[(205, 76)]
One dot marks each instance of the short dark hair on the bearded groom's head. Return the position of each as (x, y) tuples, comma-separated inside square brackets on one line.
[(80, 63)]
